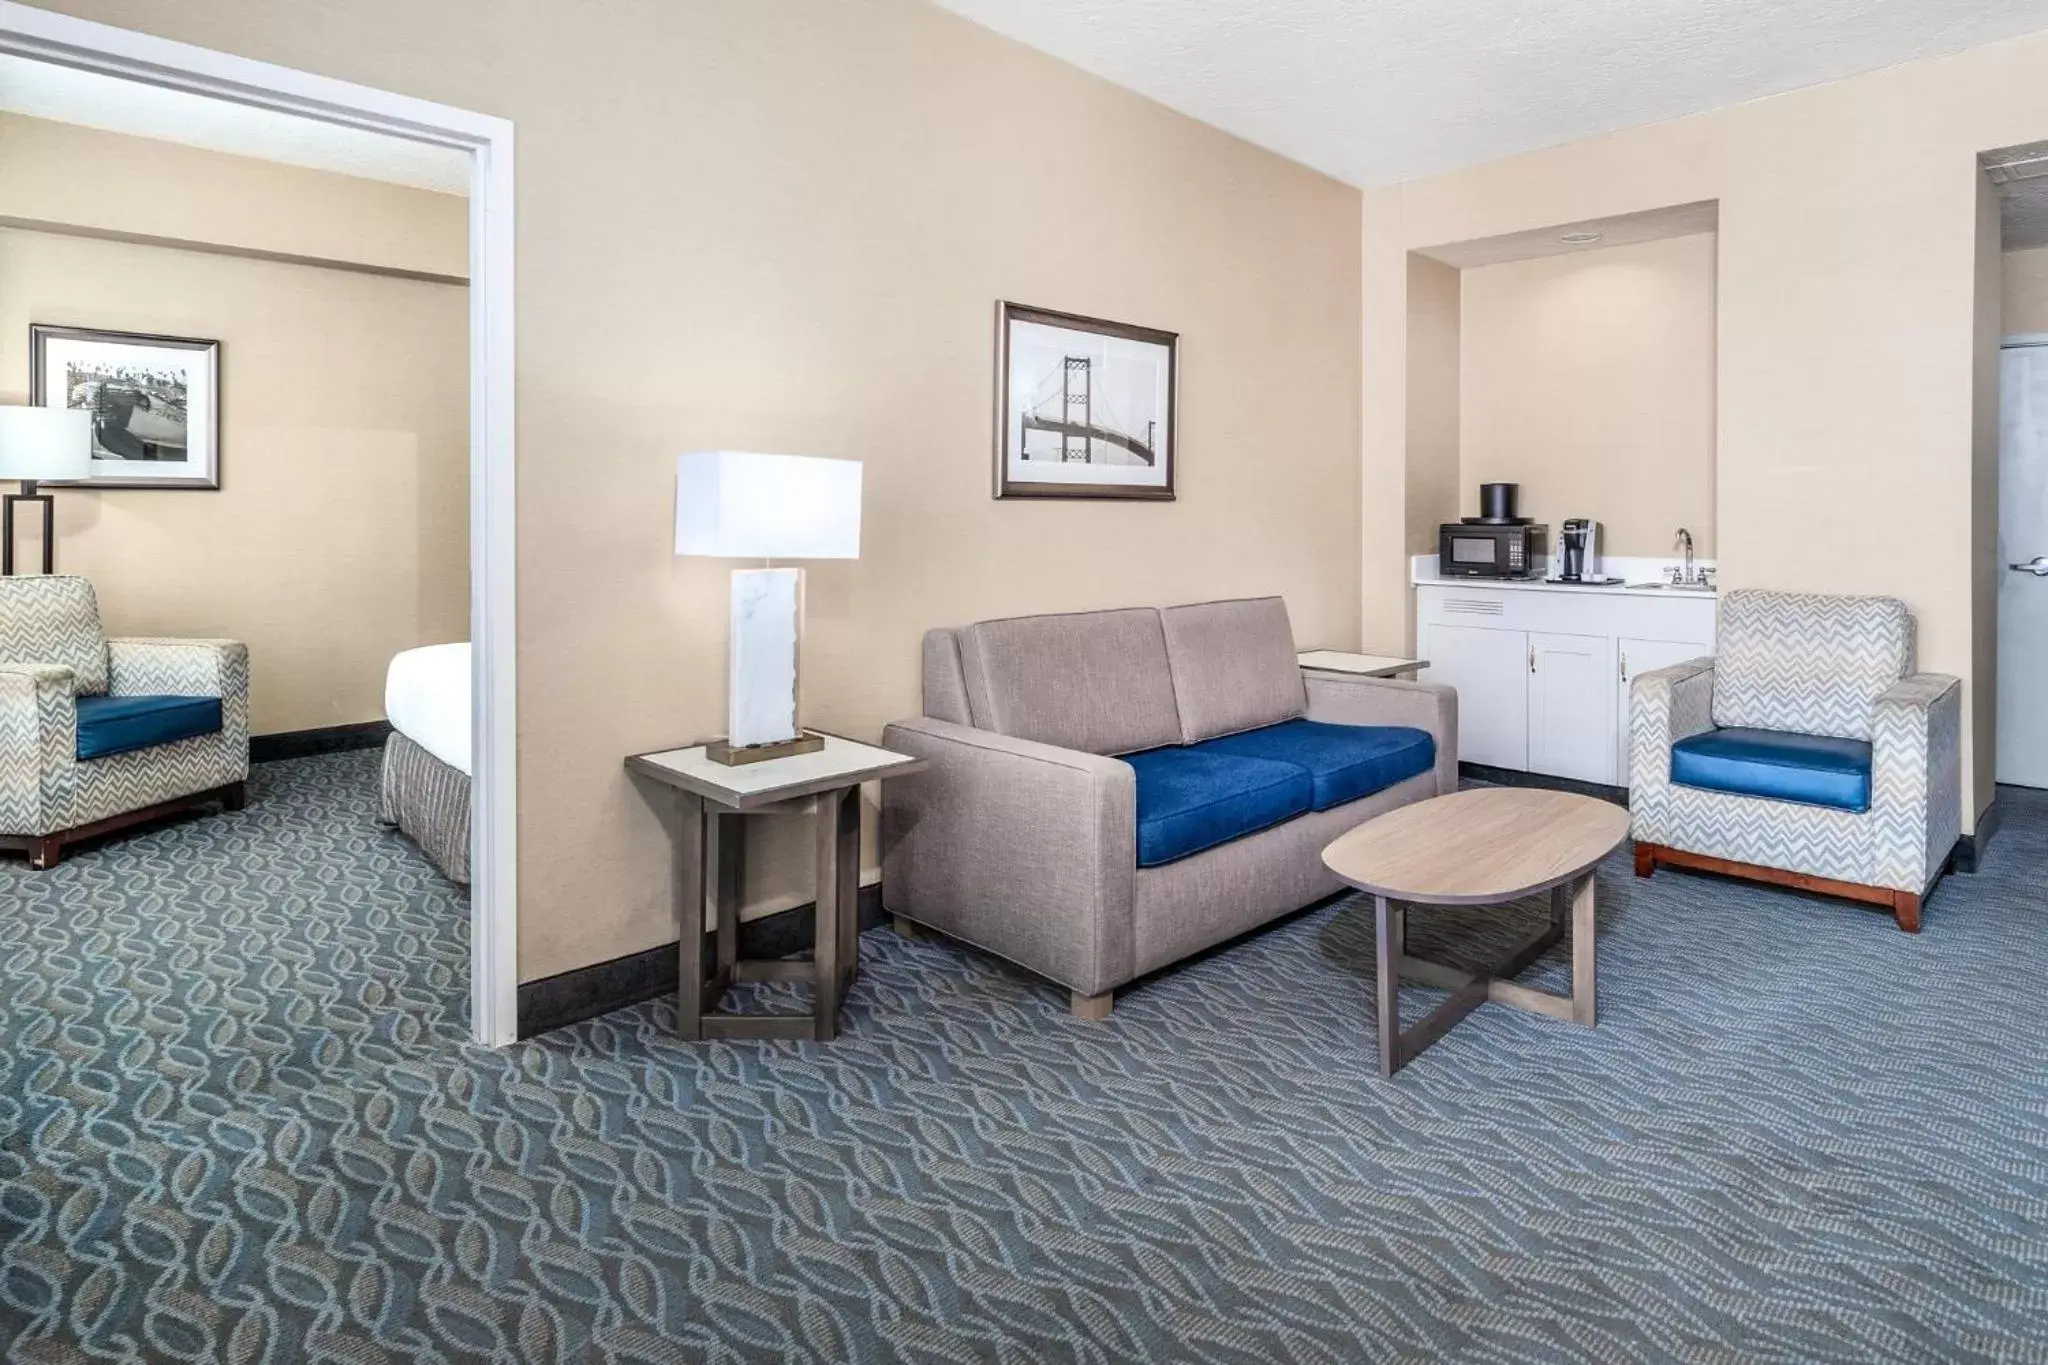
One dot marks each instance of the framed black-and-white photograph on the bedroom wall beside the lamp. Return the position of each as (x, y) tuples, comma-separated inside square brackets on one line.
[(155, 402)]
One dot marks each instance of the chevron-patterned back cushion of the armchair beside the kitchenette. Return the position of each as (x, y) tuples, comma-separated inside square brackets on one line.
[(1807, 662)]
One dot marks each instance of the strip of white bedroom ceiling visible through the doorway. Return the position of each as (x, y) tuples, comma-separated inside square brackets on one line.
[(67, 95)]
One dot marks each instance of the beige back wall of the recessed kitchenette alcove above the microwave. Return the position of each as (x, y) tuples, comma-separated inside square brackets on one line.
[(1590, 382)]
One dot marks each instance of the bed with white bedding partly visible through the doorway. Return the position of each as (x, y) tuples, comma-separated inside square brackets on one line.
[(427, 758)]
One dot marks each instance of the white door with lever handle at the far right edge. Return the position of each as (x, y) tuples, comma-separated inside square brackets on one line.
[(2024, 566)]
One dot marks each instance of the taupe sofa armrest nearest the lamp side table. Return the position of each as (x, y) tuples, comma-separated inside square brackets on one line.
[(1021, 848)]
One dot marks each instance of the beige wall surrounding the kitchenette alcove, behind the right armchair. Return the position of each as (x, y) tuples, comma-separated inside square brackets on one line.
[(1846, 326)]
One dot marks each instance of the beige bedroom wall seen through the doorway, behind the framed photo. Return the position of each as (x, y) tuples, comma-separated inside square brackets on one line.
[(341, 531)]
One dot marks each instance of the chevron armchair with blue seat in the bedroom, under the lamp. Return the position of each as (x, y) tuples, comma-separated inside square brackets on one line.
[(97, 734)]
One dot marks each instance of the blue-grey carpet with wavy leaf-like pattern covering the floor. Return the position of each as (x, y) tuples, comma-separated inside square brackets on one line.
[(239, 1125)]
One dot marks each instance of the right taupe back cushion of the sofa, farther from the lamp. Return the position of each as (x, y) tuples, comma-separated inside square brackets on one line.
[(1234, 666)]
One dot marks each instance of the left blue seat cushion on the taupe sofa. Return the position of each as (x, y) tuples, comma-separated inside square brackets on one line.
[(1193, 801)]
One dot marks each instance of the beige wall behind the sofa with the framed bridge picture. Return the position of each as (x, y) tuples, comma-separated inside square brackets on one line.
[(783, 226)]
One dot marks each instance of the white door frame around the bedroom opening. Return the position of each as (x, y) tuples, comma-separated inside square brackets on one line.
[(136, 56)]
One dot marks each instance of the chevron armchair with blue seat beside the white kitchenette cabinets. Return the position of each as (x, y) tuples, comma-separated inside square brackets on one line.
[(1807, 752)]
